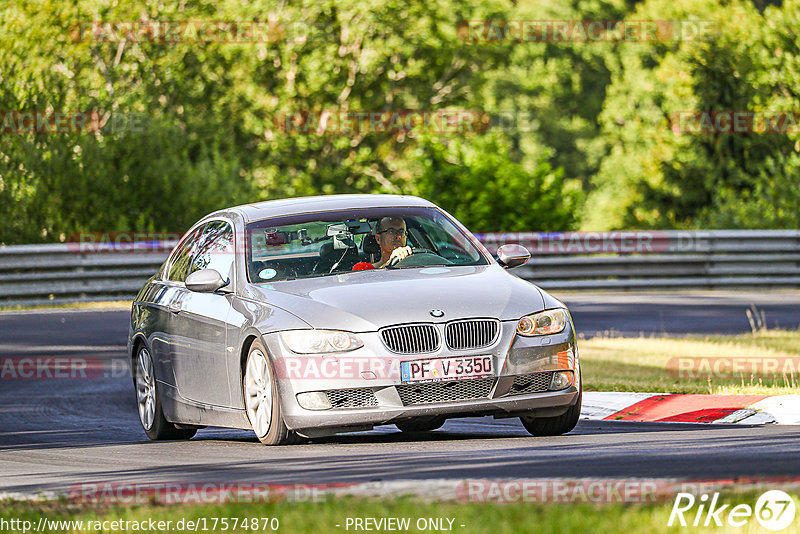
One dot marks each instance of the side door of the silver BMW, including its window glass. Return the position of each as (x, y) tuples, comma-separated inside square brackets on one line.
[(201, 359)]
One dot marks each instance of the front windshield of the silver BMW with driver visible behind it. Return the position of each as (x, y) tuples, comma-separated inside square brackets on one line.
[(322, 244)]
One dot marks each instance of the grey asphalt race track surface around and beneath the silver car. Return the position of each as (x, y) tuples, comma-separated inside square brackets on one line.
[(55, 433)]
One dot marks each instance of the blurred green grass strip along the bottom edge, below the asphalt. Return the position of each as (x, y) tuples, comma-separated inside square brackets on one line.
[(322, 517)]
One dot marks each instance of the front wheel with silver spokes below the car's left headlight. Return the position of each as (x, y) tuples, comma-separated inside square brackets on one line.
[(273, 431)]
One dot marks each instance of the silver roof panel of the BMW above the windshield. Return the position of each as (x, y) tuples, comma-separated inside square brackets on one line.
[(296, 206)]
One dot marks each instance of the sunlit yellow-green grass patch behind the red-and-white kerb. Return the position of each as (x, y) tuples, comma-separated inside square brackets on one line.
[(651, 364)]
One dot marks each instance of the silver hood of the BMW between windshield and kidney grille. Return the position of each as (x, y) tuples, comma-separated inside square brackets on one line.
[(365, 301)]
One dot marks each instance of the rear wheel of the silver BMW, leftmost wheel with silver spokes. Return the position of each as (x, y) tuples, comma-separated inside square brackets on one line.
[(148, 390)]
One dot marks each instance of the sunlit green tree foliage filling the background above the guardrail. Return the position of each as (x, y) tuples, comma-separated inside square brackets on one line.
[(599, 152)]
